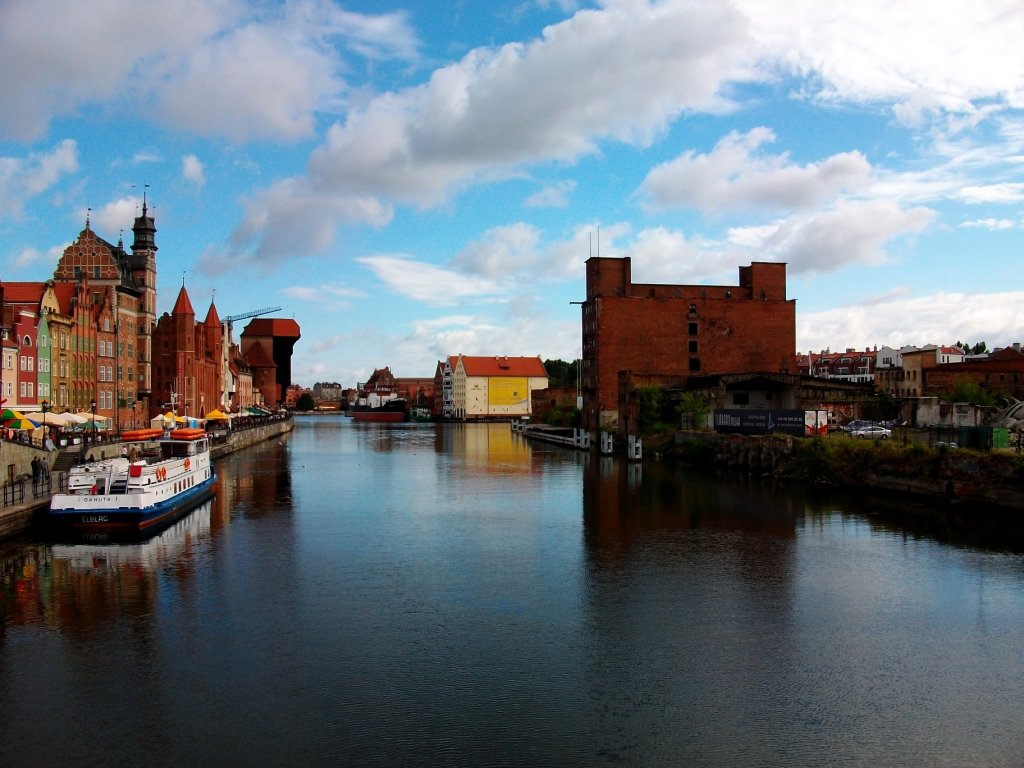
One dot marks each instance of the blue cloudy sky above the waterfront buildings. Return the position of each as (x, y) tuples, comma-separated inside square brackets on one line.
[(410, 181)]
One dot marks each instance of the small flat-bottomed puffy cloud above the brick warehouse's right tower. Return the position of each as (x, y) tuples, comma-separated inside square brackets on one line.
[(734, 177)]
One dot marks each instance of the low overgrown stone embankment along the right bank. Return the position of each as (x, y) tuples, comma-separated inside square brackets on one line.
[(995, 480)]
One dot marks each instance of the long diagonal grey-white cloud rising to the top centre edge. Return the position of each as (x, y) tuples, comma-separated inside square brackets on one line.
[(582, 82)]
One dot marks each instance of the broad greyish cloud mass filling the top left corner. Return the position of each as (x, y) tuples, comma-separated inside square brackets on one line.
[(229, 68)]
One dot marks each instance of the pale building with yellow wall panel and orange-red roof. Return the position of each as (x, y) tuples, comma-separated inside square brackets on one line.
[(496, 388)]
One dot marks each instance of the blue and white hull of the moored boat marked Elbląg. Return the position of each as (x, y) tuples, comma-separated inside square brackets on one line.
[(100, 514)]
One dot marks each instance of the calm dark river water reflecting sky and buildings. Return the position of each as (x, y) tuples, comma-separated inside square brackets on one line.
[(388, 596)]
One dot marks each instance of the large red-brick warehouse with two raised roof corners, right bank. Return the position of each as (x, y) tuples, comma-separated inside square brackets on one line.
[(679, 330)]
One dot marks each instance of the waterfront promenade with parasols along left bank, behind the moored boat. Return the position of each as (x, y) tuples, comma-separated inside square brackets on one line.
[(27, 494)]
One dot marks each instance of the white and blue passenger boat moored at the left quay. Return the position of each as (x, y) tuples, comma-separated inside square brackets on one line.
[(159, 481)]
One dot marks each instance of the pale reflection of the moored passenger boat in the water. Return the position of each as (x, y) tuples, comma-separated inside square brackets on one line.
[(95, 551)]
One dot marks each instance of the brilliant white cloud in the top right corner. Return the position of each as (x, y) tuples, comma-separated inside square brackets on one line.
[(886, 53)]
